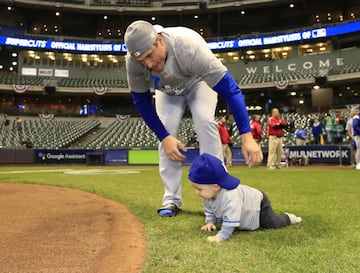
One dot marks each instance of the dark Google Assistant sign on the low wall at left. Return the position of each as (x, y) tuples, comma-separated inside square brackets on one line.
[(61, 156)]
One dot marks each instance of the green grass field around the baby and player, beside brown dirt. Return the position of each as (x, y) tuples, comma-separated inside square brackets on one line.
[(328, 239)]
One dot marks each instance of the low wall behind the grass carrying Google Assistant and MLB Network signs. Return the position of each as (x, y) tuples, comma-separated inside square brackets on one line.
[(317, 154)]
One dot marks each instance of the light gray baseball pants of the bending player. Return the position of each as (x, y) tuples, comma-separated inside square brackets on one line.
[(202, 101)]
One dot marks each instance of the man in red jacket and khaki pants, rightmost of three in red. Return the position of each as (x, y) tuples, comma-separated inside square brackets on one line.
[(276, 126)]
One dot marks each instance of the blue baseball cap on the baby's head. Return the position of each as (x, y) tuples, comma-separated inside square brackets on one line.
[(208, 169)]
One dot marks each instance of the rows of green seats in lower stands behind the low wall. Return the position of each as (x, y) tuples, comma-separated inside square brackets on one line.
[(127, 134)]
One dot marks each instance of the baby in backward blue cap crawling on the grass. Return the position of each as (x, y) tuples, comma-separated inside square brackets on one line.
[(232, 204)]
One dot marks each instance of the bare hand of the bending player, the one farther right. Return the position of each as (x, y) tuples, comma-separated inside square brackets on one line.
[(251, 150)]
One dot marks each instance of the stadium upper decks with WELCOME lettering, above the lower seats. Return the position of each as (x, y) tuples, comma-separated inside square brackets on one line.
[(80, 77)]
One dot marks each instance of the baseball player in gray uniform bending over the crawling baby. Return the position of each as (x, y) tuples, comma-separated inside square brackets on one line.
[(181, 68)]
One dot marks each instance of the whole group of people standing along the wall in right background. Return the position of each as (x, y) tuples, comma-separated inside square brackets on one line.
[(329, 129)]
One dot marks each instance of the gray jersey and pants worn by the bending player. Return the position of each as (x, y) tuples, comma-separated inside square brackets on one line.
[(190, 70)]
